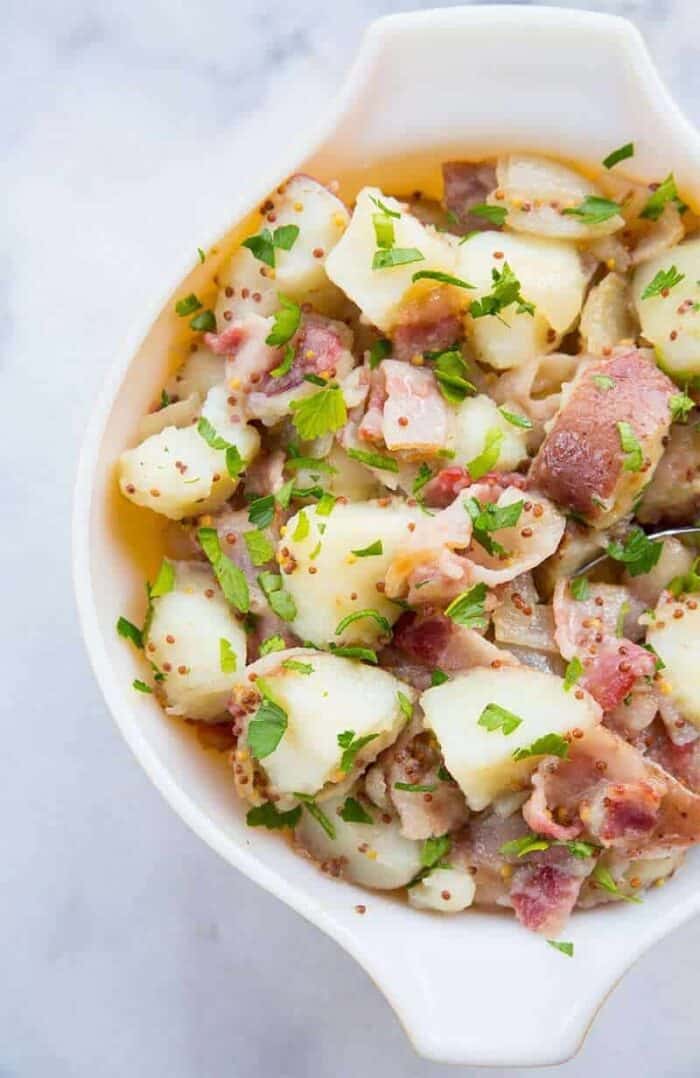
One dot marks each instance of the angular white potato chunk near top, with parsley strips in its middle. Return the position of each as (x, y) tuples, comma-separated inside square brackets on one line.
[(379, 294)]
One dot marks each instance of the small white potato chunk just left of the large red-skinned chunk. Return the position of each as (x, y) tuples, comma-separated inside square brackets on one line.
[(474, 419)]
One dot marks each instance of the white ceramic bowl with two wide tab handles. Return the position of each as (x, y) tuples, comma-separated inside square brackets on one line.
[(476, 988)]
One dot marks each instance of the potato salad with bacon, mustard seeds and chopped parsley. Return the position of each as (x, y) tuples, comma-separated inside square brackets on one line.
[(405, 427)]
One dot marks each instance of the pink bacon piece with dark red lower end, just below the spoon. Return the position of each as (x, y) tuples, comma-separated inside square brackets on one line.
[(612, 665)]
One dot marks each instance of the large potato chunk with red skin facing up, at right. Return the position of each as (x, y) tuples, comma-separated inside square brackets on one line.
[(581, 465)]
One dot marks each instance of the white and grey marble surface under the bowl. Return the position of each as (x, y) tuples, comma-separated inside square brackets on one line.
[(128, 948)]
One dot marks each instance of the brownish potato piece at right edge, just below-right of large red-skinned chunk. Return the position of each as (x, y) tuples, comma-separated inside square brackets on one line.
[(675, 493)]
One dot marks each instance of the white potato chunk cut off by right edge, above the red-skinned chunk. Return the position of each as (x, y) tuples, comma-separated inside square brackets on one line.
[(675, 336)]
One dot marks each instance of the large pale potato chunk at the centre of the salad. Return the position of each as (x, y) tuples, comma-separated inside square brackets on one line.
[(344, 583)]
